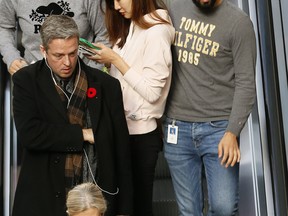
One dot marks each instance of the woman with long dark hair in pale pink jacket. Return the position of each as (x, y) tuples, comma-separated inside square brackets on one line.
[(141, 34)]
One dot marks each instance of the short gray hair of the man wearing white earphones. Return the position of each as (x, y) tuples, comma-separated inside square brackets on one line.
[(58, 27)]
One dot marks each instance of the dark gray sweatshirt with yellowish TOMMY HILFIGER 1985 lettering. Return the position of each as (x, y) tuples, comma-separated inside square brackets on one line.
[(214, 65)]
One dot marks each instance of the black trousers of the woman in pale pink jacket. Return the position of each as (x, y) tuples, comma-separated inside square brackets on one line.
[(145, 149)]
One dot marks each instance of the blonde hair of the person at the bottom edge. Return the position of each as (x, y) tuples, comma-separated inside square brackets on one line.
[(83, 197)]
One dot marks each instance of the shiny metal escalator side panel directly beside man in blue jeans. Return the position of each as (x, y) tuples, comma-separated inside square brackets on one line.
[(255, 168)]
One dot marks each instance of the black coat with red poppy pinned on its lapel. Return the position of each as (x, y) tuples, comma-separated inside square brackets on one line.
[(46, 135)]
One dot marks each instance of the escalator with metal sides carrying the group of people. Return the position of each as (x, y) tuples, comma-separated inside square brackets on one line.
[(263, 141)]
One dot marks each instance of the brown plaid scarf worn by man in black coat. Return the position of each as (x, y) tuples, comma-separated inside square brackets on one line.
[(76, 114)]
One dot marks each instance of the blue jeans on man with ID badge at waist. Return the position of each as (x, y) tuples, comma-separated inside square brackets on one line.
[(197, 147)]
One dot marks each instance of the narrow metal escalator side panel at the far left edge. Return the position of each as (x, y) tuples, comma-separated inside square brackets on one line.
[(8, 145)]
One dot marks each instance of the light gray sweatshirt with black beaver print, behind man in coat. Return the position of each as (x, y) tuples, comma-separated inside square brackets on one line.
[(31, 14)]
